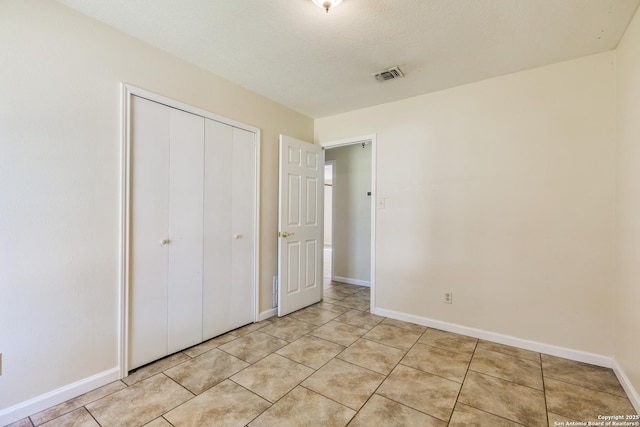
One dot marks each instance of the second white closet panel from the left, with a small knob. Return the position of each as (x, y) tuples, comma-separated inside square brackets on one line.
[(185, 230)]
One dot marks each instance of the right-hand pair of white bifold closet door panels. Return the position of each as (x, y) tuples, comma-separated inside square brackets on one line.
[(230, 222)]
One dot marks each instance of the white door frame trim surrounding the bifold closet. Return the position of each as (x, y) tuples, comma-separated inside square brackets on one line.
[(127, 91)]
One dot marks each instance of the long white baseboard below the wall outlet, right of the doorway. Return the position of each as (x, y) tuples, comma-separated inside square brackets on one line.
[(567, 353)]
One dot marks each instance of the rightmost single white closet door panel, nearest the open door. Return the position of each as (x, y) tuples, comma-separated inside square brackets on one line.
[(243, 180)]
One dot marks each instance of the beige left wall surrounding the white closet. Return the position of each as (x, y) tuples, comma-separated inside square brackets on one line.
[(60, 109)]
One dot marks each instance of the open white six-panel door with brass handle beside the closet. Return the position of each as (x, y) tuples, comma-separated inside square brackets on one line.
[(300, 217)]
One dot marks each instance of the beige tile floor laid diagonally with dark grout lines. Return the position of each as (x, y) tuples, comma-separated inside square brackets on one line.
[(335, 364)]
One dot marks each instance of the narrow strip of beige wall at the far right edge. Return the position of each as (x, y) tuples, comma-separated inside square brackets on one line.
[(627, 311)]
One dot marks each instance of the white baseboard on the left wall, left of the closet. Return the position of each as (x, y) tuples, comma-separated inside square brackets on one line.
[(55, 397)]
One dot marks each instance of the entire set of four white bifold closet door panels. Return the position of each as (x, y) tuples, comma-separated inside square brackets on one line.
[(192, 238)]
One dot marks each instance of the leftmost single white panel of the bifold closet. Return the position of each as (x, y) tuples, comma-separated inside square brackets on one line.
[(149, 219)]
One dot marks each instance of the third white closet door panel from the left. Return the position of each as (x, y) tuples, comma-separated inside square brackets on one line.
[(218, 234)]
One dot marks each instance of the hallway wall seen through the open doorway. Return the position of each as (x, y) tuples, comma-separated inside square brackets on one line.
[(352, 210)]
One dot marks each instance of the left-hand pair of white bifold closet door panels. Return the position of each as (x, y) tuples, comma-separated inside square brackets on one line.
[(165, 299)]
